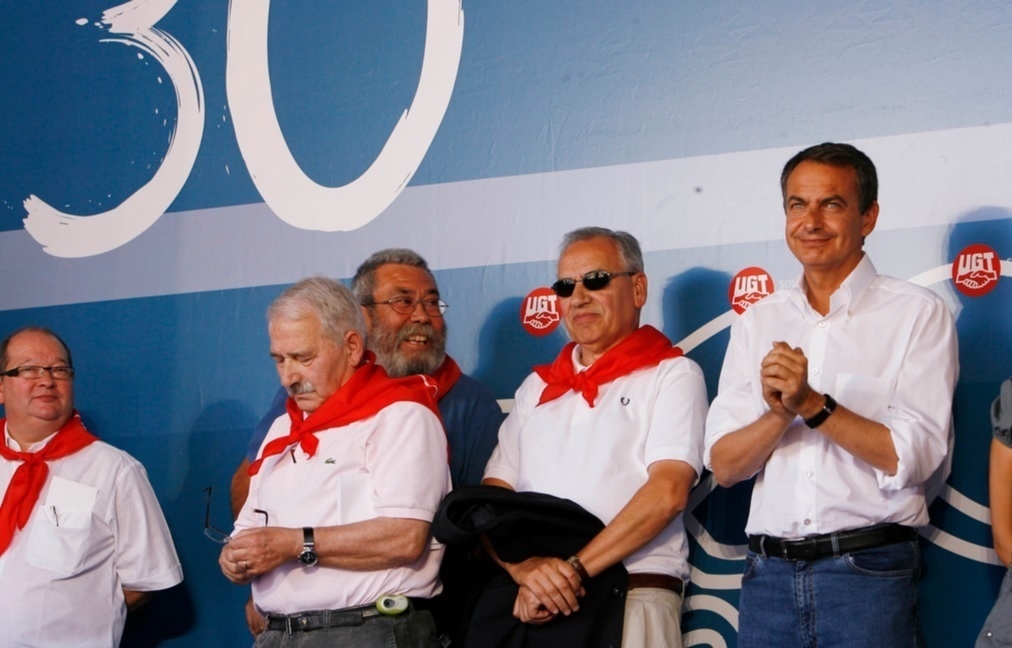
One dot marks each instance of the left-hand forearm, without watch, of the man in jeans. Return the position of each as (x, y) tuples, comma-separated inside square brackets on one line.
[(742, 454)]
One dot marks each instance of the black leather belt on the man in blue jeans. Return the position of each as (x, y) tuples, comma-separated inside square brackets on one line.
[(816, 547)]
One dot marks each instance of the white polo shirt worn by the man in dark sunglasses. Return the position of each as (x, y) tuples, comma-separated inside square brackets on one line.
[(599, 457)]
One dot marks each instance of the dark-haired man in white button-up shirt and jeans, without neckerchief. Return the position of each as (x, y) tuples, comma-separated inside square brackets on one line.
[(836, 395)]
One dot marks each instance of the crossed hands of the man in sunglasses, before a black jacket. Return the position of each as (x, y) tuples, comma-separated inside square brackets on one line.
[(549, 588)]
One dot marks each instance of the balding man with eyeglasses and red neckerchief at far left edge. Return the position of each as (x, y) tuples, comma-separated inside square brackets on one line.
[(82, 537)]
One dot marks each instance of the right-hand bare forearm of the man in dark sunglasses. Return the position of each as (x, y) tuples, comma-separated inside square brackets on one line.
[(650, 511)]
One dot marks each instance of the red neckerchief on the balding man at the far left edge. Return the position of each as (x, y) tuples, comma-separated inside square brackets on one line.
[(30, 478)]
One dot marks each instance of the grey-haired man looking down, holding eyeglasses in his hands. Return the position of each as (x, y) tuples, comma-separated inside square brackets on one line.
[(350, 480)]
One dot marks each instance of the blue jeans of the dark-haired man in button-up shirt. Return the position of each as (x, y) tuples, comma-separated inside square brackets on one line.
[(863, 600)]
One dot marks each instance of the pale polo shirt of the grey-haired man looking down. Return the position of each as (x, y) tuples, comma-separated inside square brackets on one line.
[(392, 465)]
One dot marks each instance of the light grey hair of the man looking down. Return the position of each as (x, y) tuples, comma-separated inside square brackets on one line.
[(326, 299)]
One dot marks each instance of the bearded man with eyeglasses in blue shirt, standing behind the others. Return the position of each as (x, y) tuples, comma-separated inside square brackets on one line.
[(406, 330)]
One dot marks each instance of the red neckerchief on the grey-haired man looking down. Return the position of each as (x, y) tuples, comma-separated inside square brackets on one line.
[(367, 392)]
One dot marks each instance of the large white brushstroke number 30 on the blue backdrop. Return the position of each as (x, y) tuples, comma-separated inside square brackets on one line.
[(290, 194)]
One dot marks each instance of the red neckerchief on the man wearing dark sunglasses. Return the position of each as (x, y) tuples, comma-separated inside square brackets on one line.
[(647, 347)]
